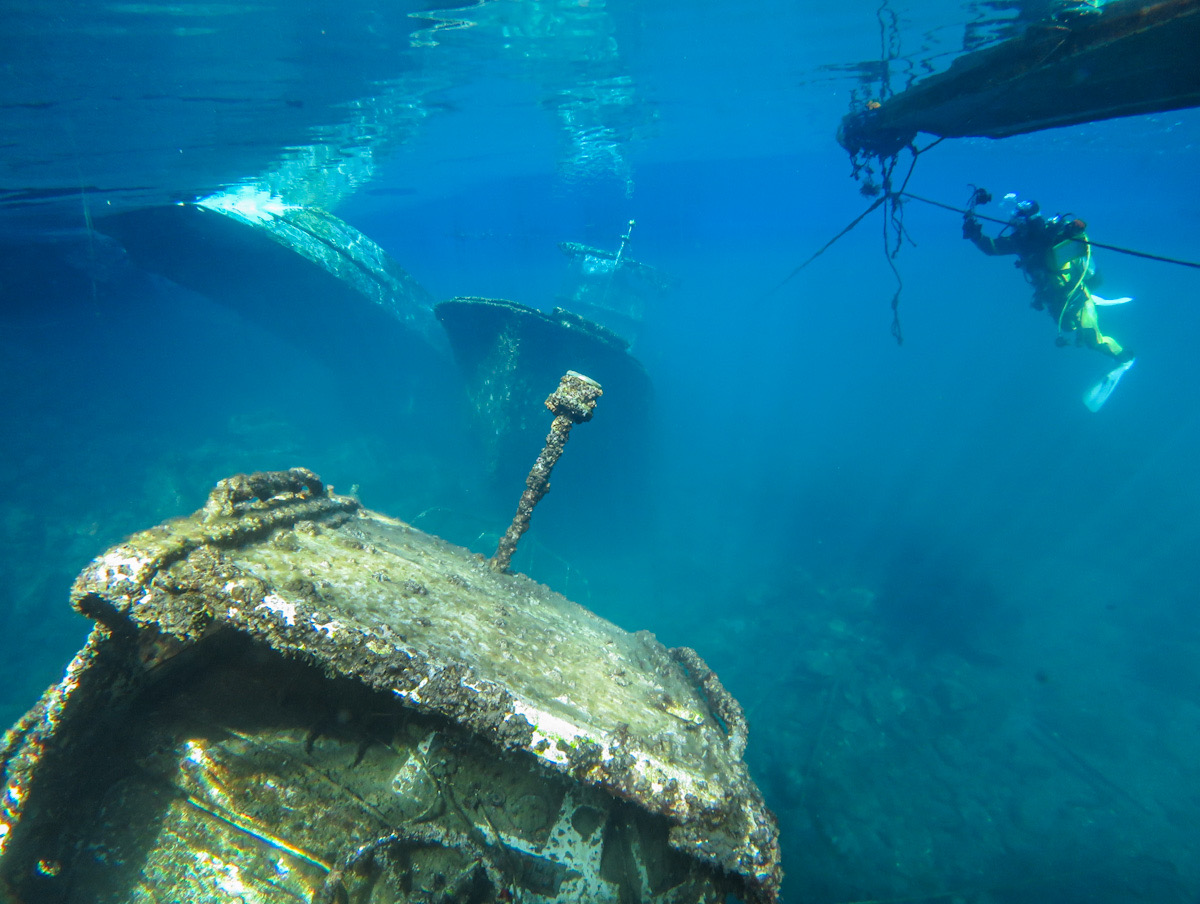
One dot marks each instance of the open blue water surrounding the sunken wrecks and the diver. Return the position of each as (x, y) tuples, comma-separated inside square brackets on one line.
[(959, 608)]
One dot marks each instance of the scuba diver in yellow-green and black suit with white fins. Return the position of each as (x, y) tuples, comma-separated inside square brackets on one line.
[(1057, 259)]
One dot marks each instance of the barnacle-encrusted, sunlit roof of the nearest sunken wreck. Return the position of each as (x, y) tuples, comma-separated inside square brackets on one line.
[(368, 598)]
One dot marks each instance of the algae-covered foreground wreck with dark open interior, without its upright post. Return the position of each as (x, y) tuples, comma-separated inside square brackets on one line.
[(289, 698)]
